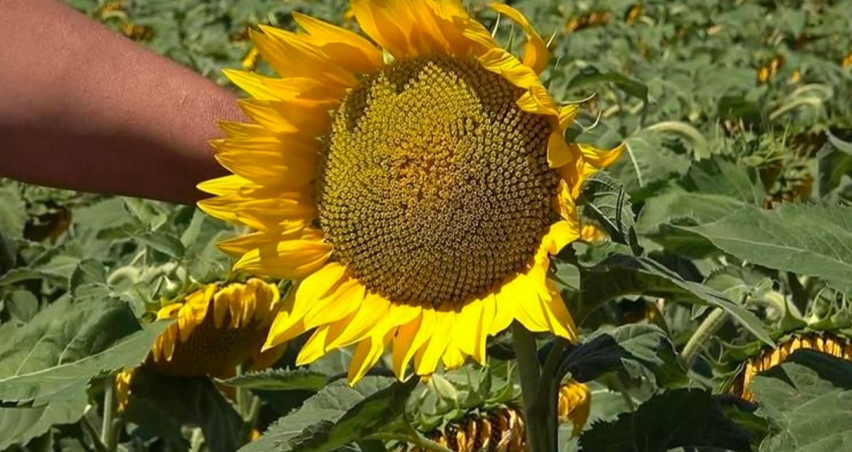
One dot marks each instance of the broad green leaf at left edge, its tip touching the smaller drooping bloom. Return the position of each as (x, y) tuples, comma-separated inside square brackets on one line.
[(68, 344)]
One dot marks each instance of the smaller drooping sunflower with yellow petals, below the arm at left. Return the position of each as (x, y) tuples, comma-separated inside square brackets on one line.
[(217, 330)]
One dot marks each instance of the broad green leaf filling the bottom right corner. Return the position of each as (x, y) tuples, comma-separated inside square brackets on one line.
[(810, 397)]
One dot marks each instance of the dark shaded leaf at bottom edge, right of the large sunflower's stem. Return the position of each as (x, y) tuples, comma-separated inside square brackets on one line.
[(685, 418)]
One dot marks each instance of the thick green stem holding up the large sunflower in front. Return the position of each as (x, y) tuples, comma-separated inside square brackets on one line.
[(538, 437)]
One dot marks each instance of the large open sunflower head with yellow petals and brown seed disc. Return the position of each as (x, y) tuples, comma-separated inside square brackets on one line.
[(414, 186)]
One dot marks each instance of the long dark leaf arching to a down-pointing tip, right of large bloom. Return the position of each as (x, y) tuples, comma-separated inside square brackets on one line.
[(620, 275)]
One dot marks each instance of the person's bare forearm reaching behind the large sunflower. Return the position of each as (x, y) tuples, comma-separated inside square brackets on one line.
[(84, 108)]
